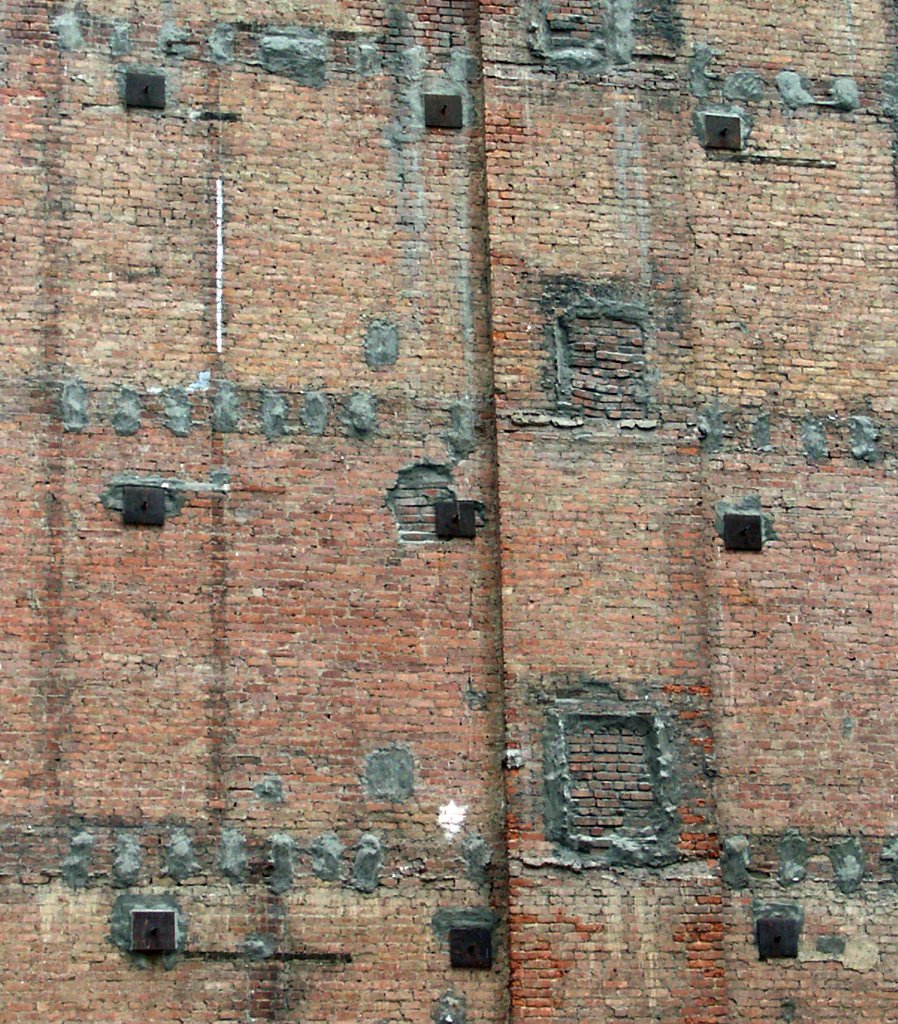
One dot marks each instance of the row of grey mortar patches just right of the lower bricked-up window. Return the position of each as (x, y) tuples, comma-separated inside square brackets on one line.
[(745, 861)]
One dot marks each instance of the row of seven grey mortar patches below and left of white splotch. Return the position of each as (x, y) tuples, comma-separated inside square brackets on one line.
[(276, 864)]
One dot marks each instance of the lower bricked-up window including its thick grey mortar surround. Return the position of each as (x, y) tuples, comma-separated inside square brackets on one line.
[(611, 793)]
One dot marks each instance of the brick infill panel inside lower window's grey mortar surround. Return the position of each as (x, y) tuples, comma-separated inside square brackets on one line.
[(611, 779)]
